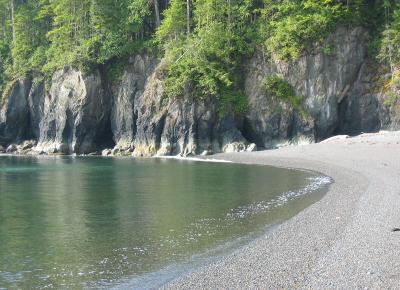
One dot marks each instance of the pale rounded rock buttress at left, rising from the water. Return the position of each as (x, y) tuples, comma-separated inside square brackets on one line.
[(75, 113)]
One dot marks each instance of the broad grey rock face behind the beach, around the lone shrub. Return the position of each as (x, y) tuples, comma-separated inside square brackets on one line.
[(334, 87)]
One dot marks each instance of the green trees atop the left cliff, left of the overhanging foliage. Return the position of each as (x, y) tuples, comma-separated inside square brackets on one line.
[(82, 33)]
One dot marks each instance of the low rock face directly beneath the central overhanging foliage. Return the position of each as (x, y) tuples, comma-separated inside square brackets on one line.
[(193, 127)]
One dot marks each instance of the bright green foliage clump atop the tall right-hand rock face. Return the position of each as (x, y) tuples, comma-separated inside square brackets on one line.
[(288, 27)]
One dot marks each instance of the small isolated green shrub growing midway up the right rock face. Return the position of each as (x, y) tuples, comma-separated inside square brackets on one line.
[(276, 86)]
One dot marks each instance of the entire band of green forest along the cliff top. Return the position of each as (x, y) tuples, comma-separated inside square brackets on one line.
[(203, 41)]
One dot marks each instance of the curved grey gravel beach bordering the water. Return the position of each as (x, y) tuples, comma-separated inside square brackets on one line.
[(345, 240)]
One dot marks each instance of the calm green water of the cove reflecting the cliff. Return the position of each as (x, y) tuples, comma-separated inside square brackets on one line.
[(75, 223)]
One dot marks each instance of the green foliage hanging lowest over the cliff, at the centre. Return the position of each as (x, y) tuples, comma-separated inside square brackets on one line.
[(205, 62)]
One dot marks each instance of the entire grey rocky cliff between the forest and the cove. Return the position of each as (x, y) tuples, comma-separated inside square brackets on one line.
[(86, 113)]
